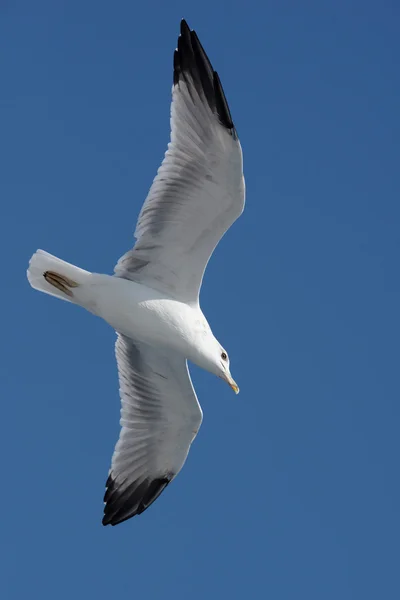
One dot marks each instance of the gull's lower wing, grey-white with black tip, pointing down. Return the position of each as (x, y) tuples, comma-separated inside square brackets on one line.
[(160, 416)]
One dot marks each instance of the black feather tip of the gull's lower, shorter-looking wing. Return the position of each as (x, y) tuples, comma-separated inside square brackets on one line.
[(124, 502)]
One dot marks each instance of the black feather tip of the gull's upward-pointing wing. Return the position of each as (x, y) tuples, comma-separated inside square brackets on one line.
[(192, 65)]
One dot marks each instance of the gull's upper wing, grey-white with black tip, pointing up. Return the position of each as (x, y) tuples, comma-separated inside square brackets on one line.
[(199, 189)]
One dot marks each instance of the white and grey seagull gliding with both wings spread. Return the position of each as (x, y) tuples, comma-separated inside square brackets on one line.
[(152, 299)]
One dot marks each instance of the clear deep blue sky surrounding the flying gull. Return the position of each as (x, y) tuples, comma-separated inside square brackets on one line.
[(291, 489)]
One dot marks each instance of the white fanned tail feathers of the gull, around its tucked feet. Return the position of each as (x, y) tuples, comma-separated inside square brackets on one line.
[(41, 262)]
